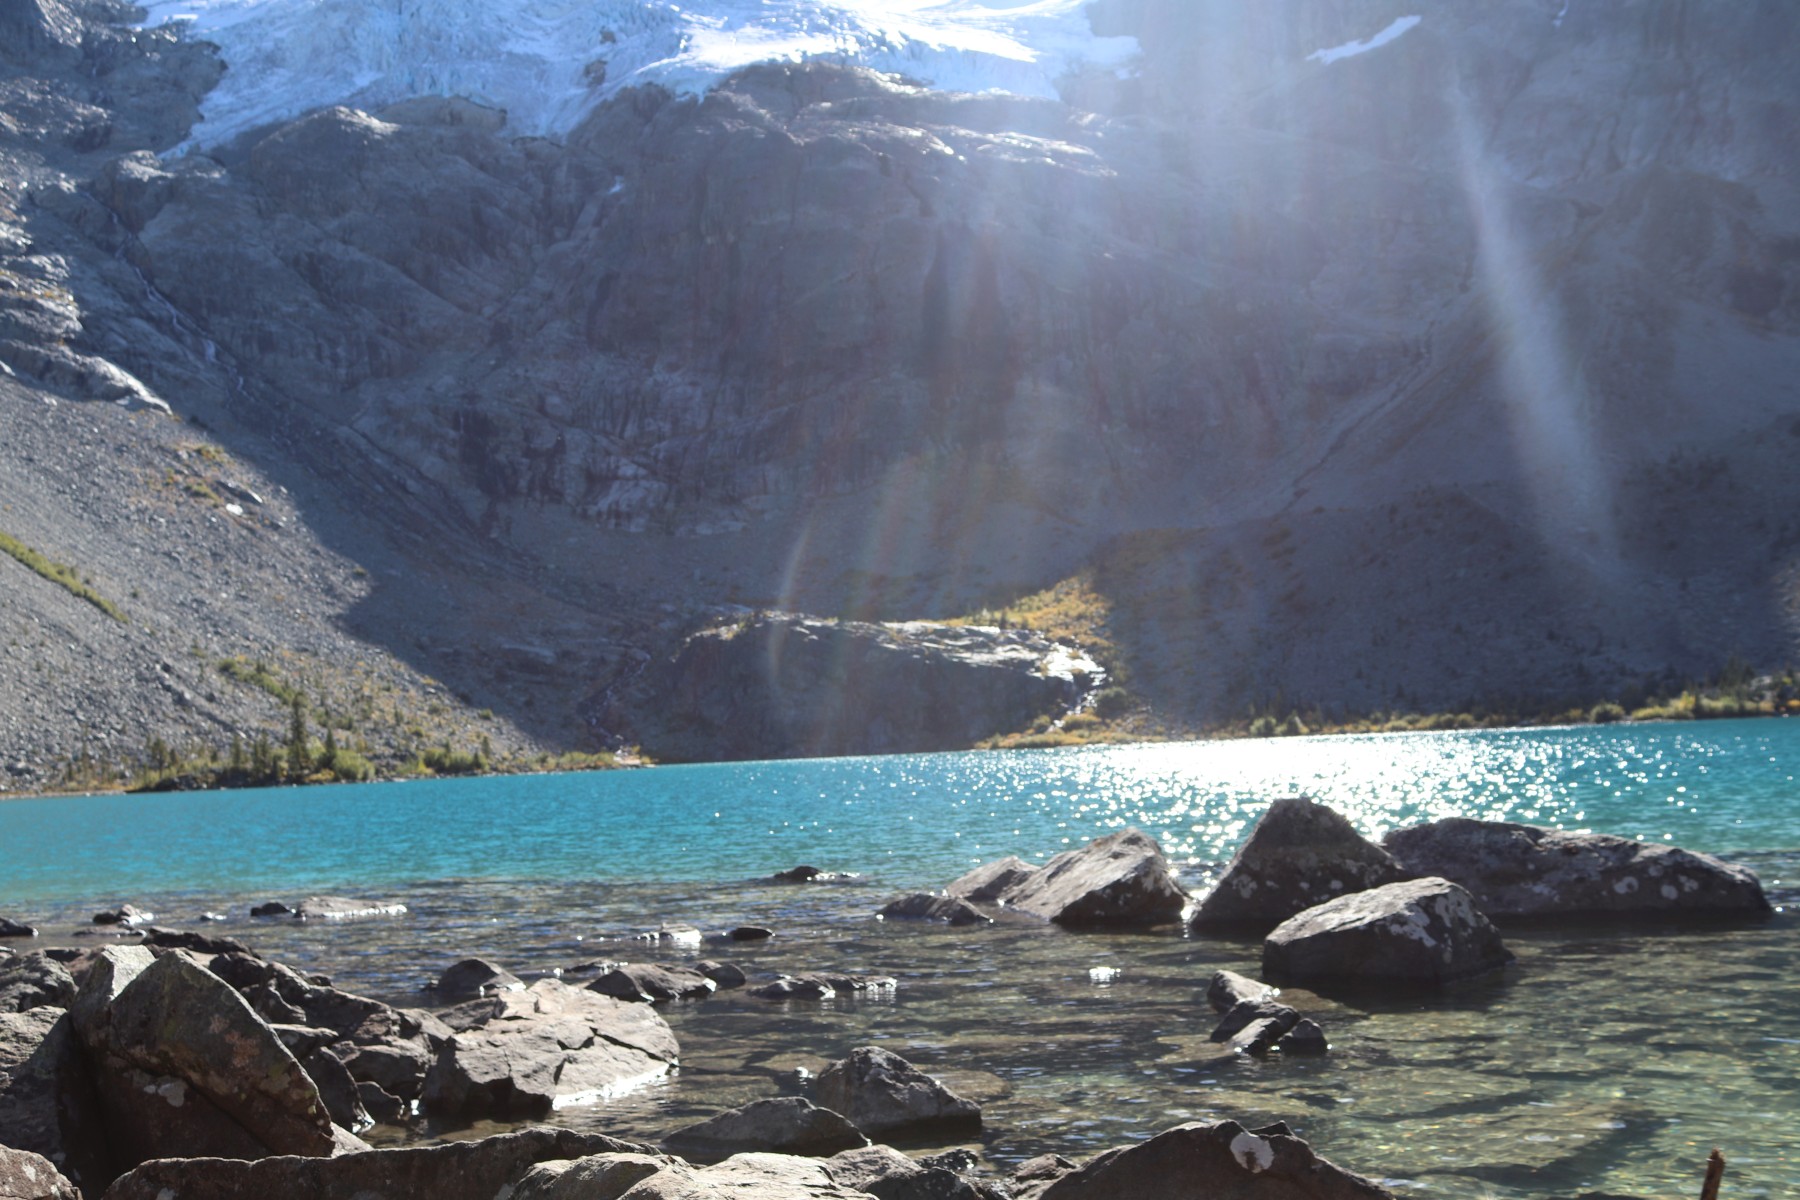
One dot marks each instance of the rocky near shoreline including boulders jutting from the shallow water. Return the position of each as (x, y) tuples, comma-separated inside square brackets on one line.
[(179, 1046)]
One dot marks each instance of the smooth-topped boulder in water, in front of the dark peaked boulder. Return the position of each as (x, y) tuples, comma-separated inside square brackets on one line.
[(1419, 933)]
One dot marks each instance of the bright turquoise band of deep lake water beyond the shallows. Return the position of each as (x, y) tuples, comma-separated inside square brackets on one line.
[(908, 819)]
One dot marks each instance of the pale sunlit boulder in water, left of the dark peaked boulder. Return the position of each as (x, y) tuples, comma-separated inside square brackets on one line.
[(1120, 879)]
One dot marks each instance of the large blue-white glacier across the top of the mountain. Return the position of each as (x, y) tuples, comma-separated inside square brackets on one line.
[(539, 58)]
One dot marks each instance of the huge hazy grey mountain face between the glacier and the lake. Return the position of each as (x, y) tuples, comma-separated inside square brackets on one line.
[(1457, 370)]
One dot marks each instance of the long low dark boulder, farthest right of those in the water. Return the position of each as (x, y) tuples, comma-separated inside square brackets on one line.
[(1533, 873)]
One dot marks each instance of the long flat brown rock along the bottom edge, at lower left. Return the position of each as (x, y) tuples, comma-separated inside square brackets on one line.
[(451, 1172)]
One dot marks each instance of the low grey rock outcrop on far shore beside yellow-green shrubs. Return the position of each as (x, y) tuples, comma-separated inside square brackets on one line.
[(784, 686)]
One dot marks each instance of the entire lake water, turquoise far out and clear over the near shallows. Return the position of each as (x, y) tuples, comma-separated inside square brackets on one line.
[(1601, 1062)]
